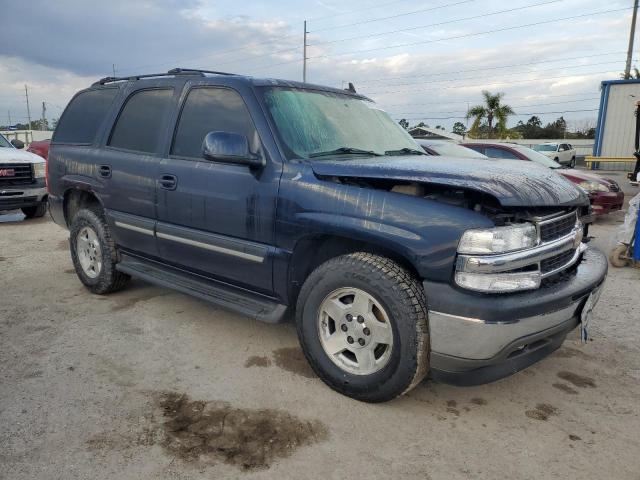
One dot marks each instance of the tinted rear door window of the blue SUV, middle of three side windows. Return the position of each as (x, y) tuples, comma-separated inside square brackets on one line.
[(139, 123)]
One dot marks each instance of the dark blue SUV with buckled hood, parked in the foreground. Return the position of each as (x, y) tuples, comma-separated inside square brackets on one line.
[(281, 199)]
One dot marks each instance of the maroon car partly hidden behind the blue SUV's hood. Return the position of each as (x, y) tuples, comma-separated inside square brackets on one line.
[(605, 194)]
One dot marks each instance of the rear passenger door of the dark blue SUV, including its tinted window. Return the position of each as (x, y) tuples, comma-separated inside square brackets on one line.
[(129, 164)]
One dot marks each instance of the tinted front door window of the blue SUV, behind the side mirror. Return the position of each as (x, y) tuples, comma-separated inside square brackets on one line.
[(210, 109)]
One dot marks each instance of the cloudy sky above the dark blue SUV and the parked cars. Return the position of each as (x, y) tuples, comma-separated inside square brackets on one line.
[(421, 60)]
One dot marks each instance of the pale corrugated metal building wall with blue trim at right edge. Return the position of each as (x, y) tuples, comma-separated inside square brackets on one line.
[(619, 125)]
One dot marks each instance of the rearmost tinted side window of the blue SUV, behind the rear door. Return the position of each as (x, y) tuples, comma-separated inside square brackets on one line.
[(83, 116)]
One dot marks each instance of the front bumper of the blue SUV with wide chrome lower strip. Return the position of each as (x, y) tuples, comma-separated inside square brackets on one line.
[(478, 338)]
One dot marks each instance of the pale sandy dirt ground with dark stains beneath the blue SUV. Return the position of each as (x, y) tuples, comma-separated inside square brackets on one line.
[(142, 383)]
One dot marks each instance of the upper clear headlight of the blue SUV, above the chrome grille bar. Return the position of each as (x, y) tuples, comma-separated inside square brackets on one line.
[(498, 239)]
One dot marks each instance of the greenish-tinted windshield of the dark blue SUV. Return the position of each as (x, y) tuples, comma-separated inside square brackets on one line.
[(312, 122)]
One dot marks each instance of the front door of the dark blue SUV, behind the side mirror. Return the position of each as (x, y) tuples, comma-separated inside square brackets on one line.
[(217, 219)]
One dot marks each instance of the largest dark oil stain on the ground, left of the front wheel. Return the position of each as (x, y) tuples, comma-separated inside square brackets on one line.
[(215, 431)]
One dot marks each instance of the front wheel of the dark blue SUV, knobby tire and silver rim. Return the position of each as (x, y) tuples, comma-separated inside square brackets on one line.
[(399, 299)]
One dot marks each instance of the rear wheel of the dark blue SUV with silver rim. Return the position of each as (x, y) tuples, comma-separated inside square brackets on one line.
[(95, 243)]
